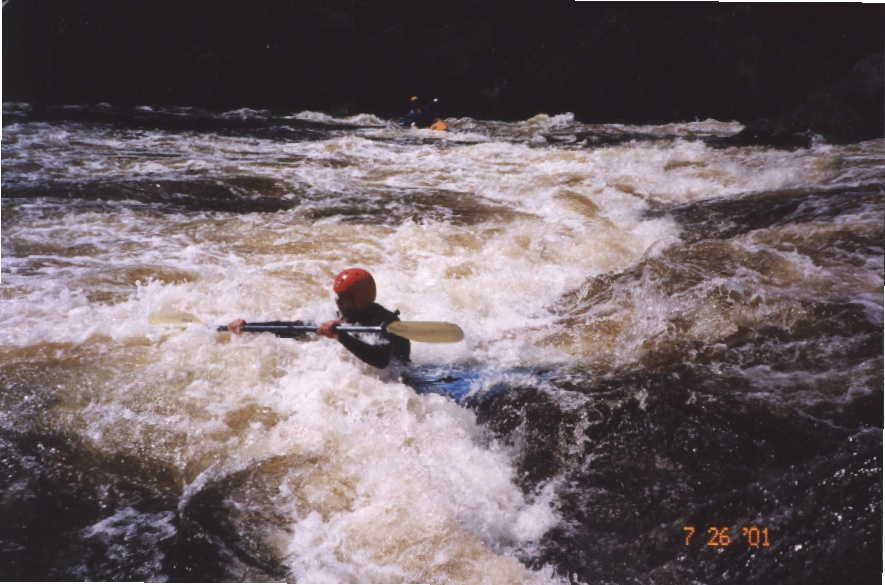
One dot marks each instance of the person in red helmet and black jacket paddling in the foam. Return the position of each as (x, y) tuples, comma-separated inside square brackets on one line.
[(355, 296)]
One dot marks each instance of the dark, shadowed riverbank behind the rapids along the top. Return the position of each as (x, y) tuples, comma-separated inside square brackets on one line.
[(781, 70)]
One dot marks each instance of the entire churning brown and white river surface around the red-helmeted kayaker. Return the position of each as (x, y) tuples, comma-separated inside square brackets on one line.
[(676, 348)]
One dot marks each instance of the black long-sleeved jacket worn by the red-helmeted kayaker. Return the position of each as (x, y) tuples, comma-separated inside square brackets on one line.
[(376, 349)]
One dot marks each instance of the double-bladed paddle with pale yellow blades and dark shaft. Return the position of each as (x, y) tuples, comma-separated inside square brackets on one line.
[(426, 331)]
